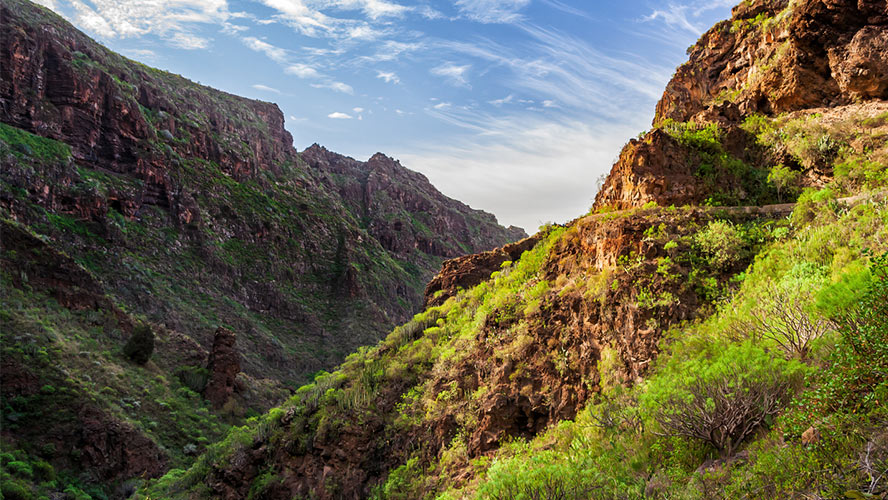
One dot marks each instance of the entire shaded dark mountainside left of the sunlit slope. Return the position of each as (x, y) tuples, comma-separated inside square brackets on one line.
[(132, 198)]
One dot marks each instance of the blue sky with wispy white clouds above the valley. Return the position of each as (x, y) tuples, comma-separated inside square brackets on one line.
[(516, 107)]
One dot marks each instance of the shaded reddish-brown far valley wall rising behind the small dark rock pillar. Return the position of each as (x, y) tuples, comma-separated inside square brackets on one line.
[(169, 189)]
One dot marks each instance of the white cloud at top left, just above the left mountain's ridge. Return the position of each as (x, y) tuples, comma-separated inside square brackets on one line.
[(175, 21)]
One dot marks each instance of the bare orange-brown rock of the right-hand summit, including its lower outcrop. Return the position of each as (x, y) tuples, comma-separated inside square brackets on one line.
[(771, 57)]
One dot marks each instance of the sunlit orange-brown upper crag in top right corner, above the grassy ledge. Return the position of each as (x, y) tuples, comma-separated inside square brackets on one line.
[(779, 57)]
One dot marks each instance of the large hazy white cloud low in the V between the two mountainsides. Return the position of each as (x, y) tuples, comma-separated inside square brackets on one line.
[(526, 170)]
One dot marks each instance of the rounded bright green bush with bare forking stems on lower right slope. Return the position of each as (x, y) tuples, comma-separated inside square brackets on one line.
[(722, 399)]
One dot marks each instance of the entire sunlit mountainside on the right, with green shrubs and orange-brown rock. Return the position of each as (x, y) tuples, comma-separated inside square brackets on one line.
[(714, 328)]
